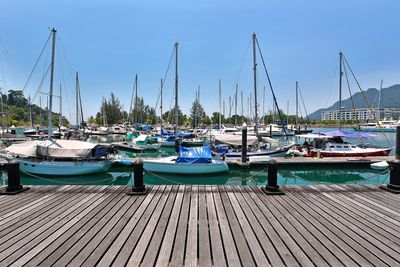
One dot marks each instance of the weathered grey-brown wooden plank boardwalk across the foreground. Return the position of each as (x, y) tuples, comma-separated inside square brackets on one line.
[(347, 225)]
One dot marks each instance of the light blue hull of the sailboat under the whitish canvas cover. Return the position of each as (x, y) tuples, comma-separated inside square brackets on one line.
[(63, 168)]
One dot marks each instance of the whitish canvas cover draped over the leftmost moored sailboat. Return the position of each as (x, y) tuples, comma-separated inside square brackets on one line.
[(53, 149)]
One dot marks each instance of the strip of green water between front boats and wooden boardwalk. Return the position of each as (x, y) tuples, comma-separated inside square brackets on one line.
[(236, 176)]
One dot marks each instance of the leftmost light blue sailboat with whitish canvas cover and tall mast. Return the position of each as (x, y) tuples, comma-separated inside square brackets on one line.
[(59, 157)]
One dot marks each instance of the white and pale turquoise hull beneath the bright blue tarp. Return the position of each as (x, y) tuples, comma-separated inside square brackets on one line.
[(168, 165)]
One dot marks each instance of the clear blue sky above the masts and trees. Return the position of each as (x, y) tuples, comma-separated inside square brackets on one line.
[(108, 42)]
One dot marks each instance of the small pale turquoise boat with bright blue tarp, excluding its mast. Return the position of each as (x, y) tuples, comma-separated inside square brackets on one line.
[(191, 161)]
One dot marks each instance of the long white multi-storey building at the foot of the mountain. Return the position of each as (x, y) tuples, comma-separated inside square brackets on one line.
[(361, 114)]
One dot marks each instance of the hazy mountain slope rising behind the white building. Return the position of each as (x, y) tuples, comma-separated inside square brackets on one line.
[(390, 99)]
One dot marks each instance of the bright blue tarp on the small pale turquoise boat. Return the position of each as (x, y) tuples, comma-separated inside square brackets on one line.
[(194, 155)]
